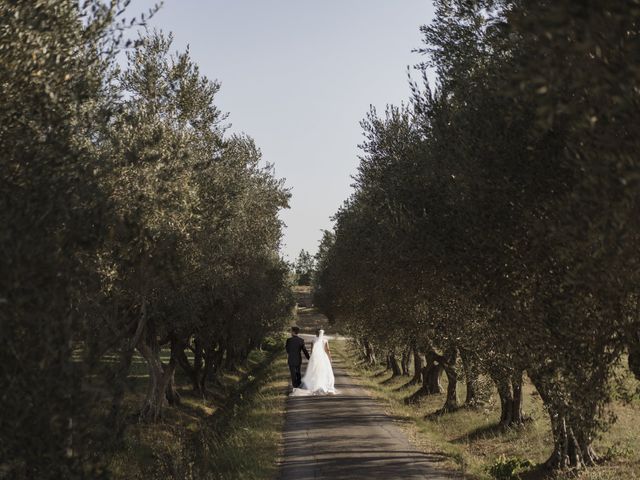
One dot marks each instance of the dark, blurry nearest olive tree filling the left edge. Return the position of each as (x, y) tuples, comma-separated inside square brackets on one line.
[(52, 206)]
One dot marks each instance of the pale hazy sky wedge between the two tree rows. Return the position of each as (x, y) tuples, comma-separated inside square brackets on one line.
[(298, 76)]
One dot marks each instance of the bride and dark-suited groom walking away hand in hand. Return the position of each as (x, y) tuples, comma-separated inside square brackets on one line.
[(318, 379)]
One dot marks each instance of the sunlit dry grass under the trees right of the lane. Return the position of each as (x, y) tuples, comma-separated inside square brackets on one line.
[(471, 441)]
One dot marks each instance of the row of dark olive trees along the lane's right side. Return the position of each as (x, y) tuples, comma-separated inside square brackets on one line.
[(494, 227)]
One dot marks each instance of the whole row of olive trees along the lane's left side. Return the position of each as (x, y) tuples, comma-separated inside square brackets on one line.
[(131, 223)]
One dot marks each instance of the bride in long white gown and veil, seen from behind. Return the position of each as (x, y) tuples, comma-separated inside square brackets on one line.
[(318, 379)]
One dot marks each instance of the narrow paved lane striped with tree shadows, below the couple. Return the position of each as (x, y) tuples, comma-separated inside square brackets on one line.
[(348, 436)]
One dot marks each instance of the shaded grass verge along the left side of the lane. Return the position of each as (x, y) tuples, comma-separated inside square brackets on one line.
[(234, 433)]
